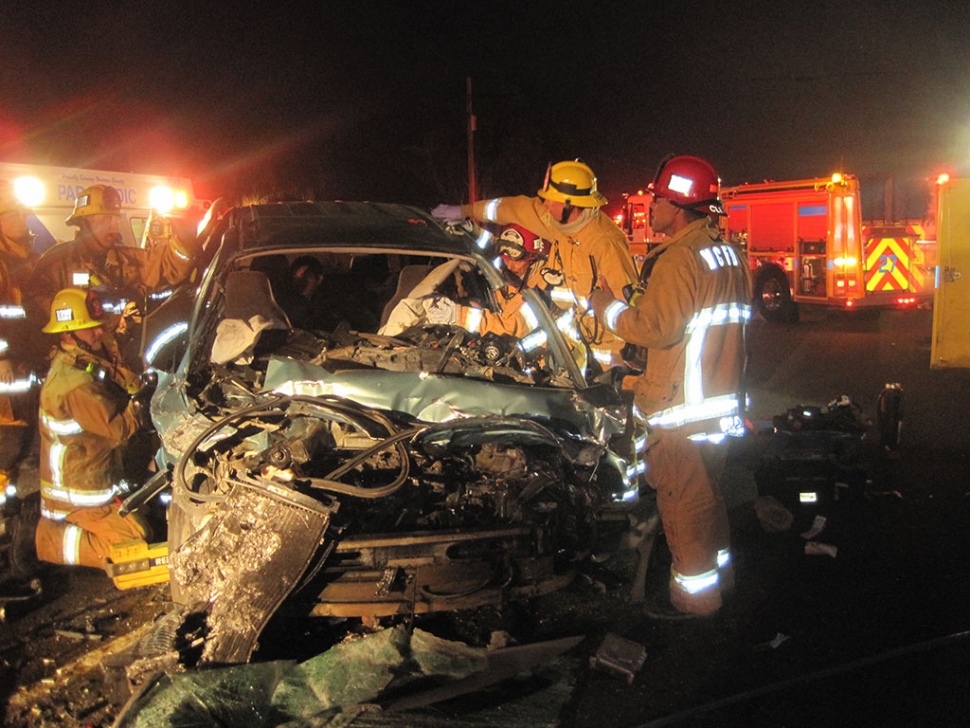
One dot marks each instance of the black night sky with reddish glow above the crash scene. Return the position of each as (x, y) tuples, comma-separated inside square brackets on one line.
[(367, 100)]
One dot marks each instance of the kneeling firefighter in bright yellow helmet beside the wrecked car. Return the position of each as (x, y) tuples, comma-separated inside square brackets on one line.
[(86, 418)]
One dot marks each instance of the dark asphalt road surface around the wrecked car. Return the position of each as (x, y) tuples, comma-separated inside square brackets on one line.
[(871, 628)]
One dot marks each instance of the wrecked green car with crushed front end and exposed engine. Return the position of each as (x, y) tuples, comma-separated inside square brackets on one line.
[(368, 463)]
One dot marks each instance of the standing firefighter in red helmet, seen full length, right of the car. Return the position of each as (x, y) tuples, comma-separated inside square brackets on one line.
[(691, 318)]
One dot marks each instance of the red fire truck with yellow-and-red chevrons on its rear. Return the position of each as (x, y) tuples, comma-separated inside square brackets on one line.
[(826, 242)]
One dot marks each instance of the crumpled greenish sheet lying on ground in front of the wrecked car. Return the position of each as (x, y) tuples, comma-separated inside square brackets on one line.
[(387, 671)]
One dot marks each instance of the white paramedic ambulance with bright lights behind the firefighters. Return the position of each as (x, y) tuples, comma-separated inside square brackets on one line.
[(50, 193)]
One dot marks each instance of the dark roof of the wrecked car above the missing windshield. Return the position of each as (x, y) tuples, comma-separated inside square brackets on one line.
[(366, 224)]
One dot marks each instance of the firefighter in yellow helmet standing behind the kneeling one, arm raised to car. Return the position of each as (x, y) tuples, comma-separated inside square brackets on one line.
[(96, 258)]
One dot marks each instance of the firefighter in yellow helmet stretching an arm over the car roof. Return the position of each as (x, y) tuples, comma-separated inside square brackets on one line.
[(586, 245)]
